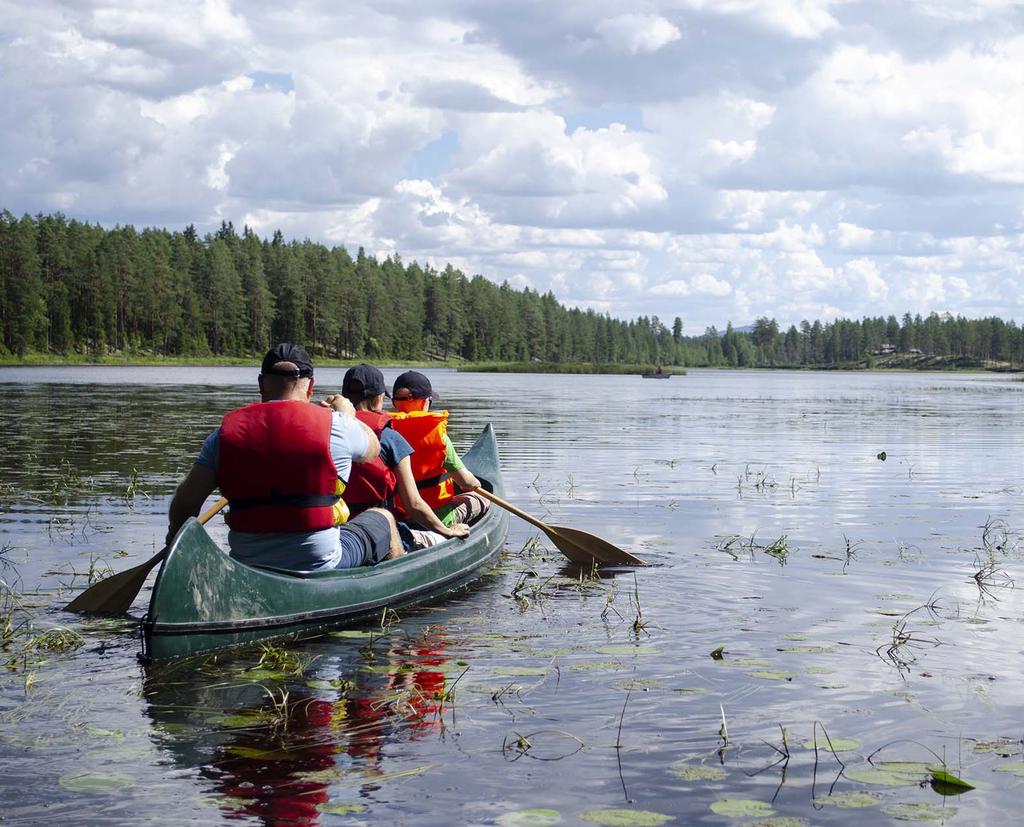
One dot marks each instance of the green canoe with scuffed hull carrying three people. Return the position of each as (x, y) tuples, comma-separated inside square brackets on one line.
[(203, 599)]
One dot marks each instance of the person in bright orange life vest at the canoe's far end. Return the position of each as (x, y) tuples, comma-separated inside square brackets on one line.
[(441, 469)]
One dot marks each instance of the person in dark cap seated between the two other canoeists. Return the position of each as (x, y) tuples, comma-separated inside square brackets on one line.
[(389, 480)]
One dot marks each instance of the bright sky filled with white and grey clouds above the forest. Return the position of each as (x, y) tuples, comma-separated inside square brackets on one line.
[(712, 160)]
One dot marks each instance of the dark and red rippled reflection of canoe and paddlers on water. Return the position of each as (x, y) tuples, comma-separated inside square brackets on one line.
[(287, 751)]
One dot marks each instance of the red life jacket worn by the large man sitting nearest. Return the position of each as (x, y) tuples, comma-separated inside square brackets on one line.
[(275, 467)]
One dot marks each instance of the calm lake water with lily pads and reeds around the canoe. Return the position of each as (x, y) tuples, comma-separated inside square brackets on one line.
[(854, 596)]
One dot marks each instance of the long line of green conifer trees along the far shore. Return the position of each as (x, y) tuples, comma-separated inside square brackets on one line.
[(74, 288)]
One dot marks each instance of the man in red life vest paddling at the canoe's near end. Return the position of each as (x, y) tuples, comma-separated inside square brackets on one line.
[(283, 465)]
